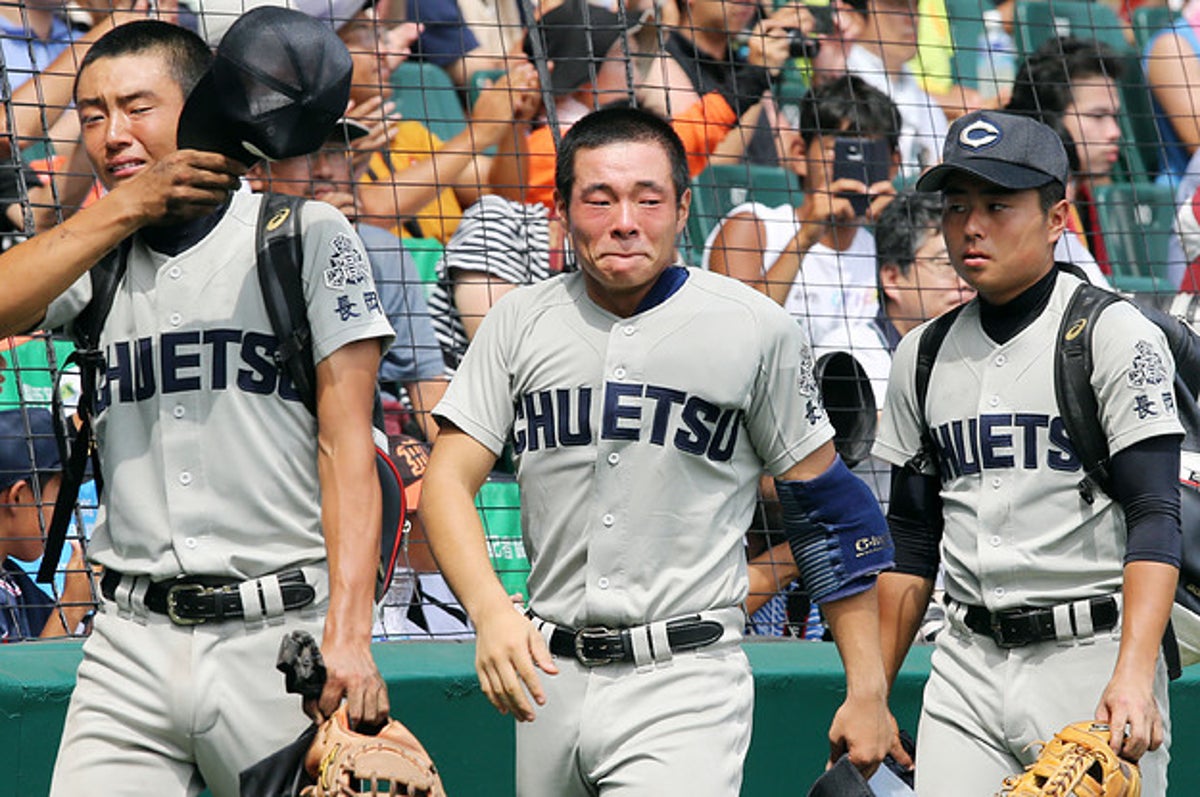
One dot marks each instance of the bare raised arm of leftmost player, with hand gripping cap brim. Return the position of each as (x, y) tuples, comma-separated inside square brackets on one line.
[(183, 185)]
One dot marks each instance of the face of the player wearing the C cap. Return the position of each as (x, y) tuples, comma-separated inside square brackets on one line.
[(1000, 242)]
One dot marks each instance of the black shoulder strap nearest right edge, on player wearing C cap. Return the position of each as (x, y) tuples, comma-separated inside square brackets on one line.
[(1078, 405)]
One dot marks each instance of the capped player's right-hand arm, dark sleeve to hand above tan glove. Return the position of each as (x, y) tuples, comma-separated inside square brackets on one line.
[(1145, 480)]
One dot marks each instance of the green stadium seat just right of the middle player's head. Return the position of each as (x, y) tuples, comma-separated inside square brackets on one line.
[(721, 188)]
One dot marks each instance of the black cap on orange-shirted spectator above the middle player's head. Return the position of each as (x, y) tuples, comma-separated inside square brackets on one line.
[(577, 37)]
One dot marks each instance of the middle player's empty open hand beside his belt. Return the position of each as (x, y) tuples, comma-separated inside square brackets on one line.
[(509, 651)]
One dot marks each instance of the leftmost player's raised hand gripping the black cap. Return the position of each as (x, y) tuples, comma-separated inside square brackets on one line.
[(187, 184)]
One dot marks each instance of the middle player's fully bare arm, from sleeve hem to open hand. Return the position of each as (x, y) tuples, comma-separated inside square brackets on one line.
[(508, 650)]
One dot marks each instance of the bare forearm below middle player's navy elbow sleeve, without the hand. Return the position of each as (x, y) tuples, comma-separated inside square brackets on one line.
[(855, 625)]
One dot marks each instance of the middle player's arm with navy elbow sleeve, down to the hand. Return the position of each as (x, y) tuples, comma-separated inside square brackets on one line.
[(841, 542)]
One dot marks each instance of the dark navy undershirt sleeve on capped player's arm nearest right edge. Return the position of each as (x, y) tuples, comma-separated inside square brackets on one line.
[(1147, 484)]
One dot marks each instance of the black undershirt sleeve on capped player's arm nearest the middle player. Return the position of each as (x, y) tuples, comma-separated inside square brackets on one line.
[(915, 519)]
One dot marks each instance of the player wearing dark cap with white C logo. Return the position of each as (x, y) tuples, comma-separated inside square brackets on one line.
[(1057, 607)]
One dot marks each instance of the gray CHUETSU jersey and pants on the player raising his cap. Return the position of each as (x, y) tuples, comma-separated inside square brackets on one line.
[(211, 462)]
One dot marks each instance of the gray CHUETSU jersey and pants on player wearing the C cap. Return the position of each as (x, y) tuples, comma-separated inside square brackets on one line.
[(1018, 534)]
